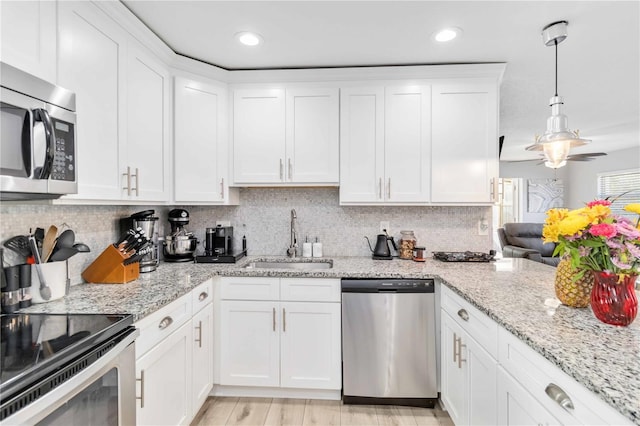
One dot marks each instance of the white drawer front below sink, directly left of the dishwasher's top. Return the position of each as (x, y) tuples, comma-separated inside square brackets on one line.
[(310, 289)]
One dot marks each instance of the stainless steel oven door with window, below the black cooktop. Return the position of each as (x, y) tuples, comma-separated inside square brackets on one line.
[(103, 393)]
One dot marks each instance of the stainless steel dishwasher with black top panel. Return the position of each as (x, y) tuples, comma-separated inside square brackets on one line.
[(389, 342)]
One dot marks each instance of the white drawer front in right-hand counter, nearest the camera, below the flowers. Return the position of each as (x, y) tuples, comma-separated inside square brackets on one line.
[(548, 384)]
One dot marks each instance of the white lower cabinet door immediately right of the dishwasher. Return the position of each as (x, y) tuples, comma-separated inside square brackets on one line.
[(454, 388)]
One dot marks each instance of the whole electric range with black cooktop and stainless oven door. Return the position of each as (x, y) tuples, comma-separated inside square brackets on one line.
[(67, 369)]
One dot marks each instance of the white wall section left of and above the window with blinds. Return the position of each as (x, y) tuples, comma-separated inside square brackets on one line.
[(584, 176)]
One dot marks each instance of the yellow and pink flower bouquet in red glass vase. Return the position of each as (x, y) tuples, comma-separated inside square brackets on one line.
[(596, 240)]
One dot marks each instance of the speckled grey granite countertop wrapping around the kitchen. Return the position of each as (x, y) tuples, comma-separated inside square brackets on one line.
[(603, 358)]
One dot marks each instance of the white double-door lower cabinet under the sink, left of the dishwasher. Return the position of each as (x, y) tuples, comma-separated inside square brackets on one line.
[(277, 342)]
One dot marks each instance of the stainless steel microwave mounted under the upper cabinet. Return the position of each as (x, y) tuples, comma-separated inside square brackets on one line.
[(37, 137)]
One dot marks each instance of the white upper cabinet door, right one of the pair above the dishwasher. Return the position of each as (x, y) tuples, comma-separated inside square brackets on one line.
[(407, 144)]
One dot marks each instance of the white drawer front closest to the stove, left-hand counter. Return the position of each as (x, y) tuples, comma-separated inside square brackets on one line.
[(162, 323)]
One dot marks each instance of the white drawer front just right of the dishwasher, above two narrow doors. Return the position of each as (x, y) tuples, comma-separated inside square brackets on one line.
[(479, 326)]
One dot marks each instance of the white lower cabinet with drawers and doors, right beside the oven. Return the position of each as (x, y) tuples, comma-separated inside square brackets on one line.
[(174, 365)]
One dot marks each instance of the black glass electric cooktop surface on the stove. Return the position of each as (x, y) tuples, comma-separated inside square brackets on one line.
[(31, 345)]
